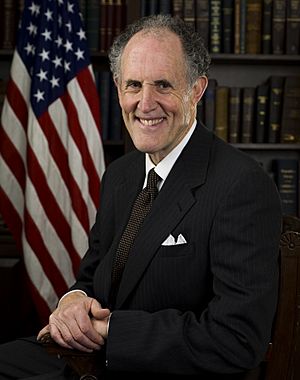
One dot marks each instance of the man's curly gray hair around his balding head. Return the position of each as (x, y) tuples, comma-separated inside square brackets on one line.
[(196, 55)]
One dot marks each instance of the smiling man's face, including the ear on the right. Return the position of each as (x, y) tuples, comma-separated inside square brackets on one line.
[(157, 108)]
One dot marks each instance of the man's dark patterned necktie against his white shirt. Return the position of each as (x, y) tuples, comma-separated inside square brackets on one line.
[(140, 209)]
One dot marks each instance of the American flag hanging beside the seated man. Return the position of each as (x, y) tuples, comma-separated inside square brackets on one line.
[(51, 154)]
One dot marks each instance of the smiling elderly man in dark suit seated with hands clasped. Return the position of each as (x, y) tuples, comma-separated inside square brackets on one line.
[(183, 280)]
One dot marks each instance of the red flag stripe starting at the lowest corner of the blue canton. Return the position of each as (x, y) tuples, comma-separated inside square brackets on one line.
[(60, 156)]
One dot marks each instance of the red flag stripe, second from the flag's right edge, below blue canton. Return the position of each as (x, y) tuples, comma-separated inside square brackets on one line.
[(79, 138)]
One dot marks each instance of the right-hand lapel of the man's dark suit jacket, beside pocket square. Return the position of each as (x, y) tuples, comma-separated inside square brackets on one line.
[(173, 201)]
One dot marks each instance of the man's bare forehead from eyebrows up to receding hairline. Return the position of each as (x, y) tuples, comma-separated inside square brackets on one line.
[(153, 55)]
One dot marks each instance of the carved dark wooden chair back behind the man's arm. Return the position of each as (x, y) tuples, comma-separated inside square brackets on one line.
[(283, 359)]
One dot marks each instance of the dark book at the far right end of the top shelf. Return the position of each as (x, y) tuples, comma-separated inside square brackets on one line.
[(292, 43)]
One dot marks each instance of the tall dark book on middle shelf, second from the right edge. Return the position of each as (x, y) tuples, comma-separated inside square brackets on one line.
[(275, 108)]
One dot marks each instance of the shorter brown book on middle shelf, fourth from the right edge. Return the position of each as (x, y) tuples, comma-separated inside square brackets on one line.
[(248, 99)]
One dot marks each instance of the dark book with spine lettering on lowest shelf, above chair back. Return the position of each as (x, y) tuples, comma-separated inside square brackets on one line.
[(286, 176)]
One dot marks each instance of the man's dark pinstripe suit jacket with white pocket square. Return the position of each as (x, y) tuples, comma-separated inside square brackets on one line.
[(206, 305)]
